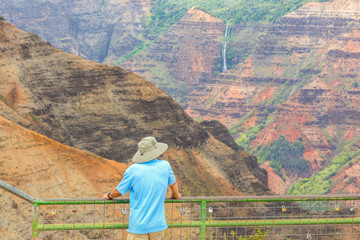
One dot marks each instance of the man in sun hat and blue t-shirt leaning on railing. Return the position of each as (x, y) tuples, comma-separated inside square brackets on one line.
[(147, 181)]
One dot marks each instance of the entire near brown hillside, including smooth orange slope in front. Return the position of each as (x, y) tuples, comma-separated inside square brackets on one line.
[(69, 127)]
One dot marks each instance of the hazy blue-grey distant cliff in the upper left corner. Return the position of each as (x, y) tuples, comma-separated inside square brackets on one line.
[(100, 30)]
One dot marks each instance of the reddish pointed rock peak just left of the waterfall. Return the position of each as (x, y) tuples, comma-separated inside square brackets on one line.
[(185, 56)]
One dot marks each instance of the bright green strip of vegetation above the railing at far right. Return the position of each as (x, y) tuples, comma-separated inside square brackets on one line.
[(321, 182)]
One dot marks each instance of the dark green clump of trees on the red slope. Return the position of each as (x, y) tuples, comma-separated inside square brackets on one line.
[(283, 154)]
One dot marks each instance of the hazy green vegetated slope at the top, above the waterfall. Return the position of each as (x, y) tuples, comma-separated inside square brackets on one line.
[(165, 13)]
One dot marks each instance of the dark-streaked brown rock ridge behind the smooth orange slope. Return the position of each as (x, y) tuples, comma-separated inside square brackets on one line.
[(106, 110)]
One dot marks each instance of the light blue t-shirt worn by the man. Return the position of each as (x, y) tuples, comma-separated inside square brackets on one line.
[(148, 184)]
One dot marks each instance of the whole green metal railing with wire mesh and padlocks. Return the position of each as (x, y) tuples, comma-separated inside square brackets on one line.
[(278, 217)]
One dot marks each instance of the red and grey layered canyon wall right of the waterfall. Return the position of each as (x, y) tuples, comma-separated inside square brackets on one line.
[(301, 72)]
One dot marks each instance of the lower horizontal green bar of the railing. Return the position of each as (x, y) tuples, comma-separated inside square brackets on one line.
[(231, 223)]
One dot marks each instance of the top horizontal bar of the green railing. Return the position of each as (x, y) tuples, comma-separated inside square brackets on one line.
[(283, 198)]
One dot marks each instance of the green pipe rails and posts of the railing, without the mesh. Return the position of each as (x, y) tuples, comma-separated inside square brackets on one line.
[(204, 222)]
